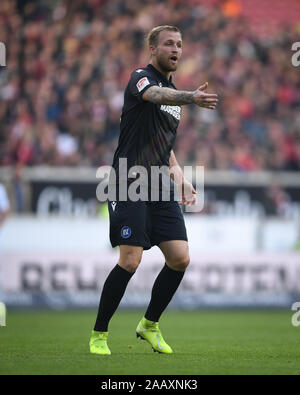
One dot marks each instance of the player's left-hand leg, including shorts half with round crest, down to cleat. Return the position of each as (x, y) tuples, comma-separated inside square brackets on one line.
[(128, 229)]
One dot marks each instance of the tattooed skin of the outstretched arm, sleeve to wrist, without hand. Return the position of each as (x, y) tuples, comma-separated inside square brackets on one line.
[(169, 96)]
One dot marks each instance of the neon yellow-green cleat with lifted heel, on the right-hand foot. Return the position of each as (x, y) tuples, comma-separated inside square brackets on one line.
[(149, 331)]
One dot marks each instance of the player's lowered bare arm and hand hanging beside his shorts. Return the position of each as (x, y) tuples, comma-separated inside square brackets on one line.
[(185, 188)]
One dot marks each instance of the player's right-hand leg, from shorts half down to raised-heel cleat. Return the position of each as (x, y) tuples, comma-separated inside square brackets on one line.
[(169, 233)]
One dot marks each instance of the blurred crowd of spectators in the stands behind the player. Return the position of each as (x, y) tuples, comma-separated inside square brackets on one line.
[(68, 63)]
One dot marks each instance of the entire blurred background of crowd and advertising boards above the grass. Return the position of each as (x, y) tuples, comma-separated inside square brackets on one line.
[(61, 93)]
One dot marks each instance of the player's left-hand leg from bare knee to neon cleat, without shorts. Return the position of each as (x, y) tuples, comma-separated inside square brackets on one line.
[(112, 293)]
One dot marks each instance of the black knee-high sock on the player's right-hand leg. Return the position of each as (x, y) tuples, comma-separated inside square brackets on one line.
[(164, 288)]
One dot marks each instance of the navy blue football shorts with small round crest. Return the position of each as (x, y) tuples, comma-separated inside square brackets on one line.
[(145, 224)]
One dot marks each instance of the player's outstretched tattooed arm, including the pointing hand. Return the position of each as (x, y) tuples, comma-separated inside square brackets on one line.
[(168, 96)]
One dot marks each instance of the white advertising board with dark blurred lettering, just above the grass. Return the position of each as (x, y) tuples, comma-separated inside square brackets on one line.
[(76, 279)]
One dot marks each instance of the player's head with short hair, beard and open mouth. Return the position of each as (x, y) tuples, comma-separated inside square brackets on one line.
[(168, 50)]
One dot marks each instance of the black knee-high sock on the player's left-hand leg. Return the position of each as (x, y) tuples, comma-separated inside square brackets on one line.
[(112, 293)]
